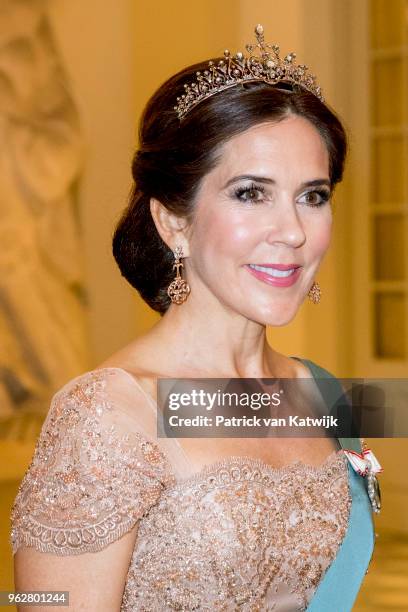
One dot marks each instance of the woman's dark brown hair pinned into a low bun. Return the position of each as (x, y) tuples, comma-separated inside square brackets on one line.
[(174, 157)]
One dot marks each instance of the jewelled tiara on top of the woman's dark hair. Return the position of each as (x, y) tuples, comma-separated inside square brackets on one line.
[(262, 64)]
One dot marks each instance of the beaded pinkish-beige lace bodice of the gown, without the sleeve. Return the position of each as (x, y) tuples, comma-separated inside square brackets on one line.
[(240, 535)]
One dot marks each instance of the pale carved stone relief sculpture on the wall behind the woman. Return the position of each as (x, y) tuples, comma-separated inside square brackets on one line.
[(42, 311)]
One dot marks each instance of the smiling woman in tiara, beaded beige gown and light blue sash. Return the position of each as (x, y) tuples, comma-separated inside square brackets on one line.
[(226, 228)]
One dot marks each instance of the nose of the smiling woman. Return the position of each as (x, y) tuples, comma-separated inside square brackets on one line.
[(284, 225)]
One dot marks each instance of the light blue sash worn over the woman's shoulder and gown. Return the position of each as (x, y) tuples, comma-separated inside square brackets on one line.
[(341, 583)]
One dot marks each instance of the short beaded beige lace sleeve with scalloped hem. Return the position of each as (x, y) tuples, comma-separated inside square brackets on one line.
[(93, 474)]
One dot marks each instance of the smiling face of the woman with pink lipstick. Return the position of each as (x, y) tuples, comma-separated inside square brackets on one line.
[(266, 203)]
